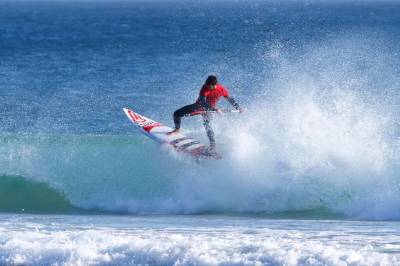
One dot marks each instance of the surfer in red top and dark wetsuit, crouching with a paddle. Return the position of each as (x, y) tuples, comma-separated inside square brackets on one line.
[(209, 95)]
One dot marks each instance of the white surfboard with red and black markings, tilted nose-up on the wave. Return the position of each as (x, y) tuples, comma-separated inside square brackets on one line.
[(159, 133)]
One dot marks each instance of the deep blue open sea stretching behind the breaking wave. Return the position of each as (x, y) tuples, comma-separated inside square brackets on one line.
[(69, 66)]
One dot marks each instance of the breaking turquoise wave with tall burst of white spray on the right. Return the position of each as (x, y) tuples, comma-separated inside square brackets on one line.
[(309, 154)]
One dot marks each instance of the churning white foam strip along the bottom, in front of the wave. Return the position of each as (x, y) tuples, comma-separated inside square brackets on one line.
[(195, 241)]
